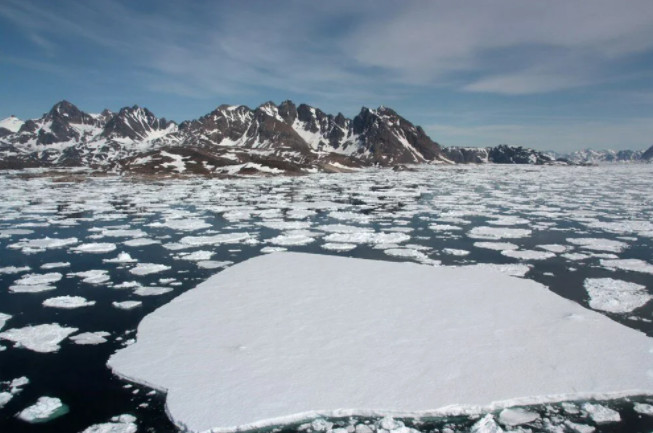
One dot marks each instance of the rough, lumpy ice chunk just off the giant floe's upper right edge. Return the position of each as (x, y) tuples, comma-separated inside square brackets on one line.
[(615, 296)]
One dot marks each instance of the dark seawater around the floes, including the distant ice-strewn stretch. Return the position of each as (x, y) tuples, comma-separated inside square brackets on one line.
[(557, 203)]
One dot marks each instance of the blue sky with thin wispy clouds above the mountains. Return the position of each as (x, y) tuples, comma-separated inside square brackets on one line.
[(553, 75)]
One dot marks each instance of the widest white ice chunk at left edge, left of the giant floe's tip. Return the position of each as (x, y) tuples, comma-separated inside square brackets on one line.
[(39, 338)]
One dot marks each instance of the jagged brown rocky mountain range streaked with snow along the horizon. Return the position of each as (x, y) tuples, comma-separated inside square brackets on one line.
[(284, 138)]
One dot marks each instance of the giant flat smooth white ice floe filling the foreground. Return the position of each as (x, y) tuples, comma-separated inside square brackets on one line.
[(296, 335)]
